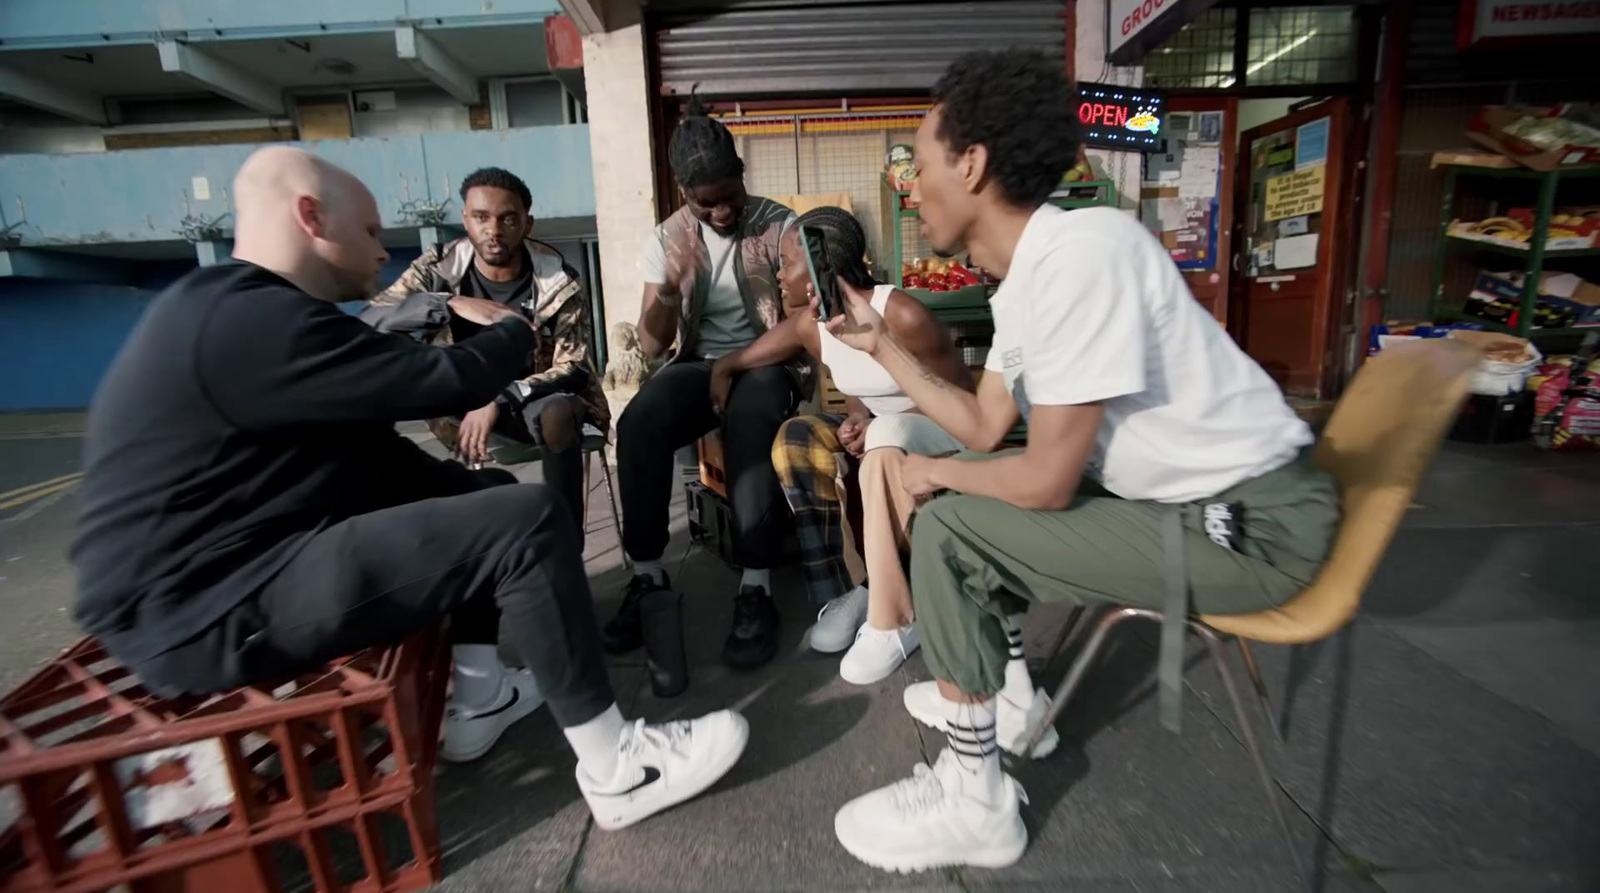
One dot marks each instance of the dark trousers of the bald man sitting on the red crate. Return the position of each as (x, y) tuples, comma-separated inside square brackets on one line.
[(489, 555)]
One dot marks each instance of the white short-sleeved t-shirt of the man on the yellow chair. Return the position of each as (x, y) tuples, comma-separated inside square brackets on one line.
[(1095, 311)]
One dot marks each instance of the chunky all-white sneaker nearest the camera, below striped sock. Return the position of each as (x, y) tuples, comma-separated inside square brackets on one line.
[(930, 822)]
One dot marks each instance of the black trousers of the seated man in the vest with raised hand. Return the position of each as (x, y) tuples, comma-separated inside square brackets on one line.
[(673, 410)]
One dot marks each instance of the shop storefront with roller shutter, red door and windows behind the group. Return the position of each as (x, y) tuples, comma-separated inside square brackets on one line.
[(1290, 175)]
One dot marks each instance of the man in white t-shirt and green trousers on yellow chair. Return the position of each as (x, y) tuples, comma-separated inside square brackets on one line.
[(1130, 390)]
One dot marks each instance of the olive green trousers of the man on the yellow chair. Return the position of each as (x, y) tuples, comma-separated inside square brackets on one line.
[(975, 561)]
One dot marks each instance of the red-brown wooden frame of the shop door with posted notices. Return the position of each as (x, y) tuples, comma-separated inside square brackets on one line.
[(1334, 238)]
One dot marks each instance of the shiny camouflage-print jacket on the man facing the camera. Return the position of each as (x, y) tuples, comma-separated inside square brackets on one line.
[(418, 303)]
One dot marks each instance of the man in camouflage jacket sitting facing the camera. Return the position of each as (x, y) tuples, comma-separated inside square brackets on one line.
[(500, 262)]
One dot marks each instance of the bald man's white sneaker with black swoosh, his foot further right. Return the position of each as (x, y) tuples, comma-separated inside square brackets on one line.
[(663, 766)]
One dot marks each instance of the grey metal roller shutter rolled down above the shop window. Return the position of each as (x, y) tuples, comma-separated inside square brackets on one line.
[(842, 49)]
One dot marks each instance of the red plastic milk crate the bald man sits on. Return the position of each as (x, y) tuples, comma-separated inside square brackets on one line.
[(329, 775)]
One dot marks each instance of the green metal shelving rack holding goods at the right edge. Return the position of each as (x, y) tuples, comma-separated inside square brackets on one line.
[(1532, 258)]
